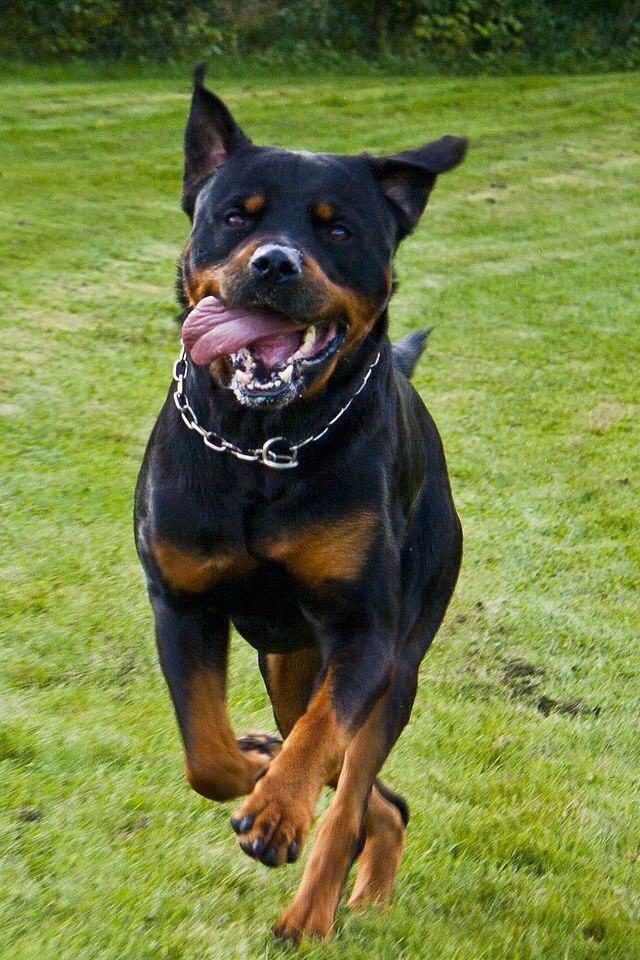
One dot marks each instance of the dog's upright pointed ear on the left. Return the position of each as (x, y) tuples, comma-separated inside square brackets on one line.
[(211, 135)]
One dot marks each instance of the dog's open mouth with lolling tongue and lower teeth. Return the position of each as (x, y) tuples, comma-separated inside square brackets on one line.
[(270, 355)]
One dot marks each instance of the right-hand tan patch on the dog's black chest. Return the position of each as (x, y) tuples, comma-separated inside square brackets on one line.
[(325, 552)]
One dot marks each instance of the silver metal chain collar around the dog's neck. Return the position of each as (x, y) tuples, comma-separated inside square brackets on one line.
[(276, 452)]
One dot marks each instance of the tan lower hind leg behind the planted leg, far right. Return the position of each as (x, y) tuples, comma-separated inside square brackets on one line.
[(381, 855)]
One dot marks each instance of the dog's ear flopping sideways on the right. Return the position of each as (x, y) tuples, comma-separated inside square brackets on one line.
[(407, 178)]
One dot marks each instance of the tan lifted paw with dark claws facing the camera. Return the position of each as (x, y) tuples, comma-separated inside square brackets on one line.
[(273, 822)]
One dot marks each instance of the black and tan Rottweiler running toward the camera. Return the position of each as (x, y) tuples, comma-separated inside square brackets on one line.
[(308, 504)]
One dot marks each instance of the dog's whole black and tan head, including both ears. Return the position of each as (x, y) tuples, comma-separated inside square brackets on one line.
[(289, 262)]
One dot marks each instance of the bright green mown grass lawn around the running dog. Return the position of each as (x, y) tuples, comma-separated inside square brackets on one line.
[(521, 762)]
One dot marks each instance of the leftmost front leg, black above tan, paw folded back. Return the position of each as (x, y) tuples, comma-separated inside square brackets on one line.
[(192, 643)]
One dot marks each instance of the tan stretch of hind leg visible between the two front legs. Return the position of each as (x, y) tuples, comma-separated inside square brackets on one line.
[(290, 678)]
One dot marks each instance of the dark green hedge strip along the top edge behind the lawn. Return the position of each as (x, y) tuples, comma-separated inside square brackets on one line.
[(433, 35)]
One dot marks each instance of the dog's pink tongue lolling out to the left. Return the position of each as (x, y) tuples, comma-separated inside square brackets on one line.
[(211, 330)]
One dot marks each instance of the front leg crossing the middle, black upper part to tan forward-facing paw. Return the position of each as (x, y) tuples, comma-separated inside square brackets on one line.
[(274, 820)]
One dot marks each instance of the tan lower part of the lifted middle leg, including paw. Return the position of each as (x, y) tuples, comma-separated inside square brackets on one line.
[(281, 807)]
